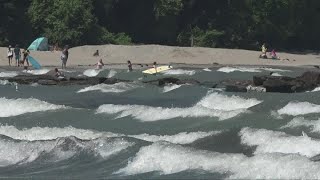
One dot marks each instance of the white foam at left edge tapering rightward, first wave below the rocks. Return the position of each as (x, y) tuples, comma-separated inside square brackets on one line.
[(15, 107)]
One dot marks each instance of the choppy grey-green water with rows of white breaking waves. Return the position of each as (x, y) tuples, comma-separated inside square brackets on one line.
[(136, 130)]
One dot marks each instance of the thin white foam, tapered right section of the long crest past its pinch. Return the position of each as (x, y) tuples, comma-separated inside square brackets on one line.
[(181, 138)]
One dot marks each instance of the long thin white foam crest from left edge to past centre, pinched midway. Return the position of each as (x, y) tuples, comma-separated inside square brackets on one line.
[(50, 133)]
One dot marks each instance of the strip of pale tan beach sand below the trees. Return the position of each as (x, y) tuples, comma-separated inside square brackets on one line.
[(147, 54)]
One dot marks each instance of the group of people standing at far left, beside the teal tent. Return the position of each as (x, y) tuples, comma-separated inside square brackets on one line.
[(16, 53)]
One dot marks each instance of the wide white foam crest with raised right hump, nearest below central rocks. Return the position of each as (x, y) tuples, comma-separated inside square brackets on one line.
[(212, 105)]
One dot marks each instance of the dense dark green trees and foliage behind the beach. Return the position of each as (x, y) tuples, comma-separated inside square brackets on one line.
[(283, 24)]
